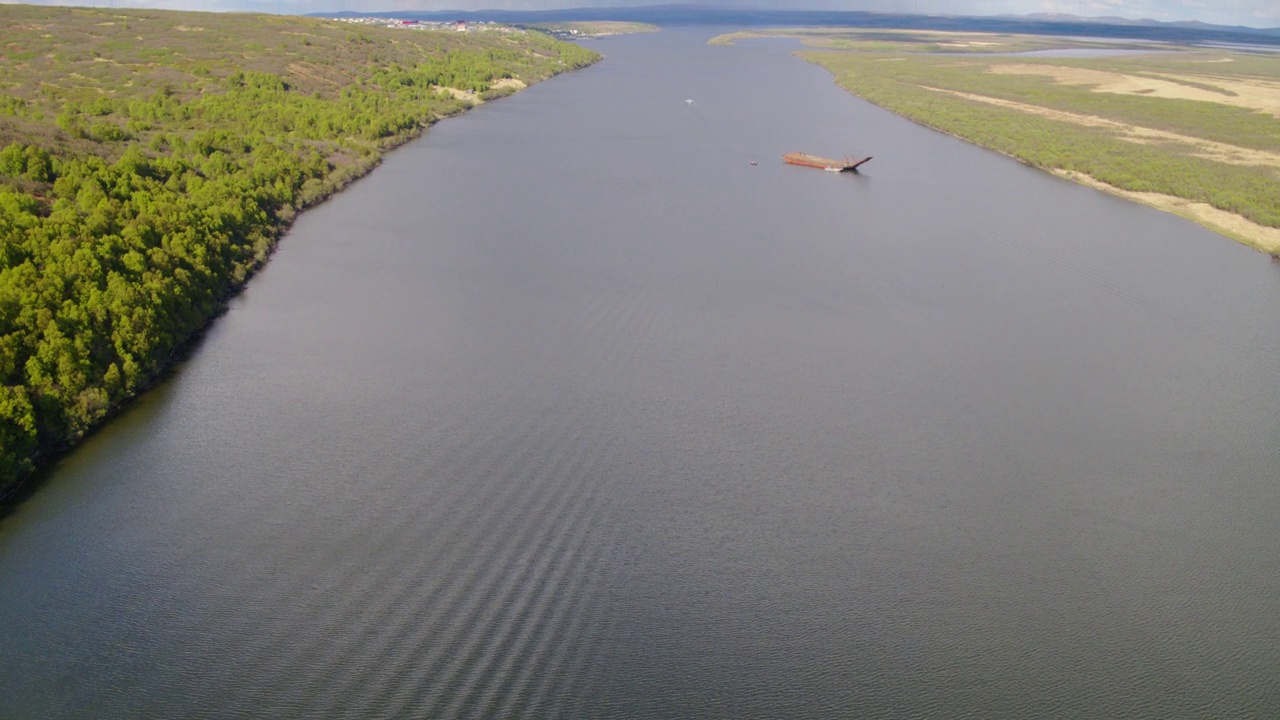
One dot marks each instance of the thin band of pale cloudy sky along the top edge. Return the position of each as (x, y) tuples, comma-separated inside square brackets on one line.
[(1254, 13)]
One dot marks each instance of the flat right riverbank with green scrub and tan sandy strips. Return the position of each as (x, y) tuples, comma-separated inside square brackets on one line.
[(1185, 130)]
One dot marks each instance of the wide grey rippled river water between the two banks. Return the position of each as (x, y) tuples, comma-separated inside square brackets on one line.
[(572, 412)]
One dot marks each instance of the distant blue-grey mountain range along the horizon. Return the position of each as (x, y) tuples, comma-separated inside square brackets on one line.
[(1191, 33)]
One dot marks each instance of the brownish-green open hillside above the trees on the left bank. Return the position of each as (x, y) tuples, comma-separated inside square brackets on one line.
[(54, 58)]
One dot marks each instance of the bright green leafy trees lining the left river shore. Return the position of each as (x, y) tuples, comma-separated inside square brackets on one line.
[(126, 222)]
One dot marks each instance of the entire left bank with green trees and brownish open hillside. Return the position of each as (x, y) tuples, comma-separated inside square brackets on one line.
[(149, 162)]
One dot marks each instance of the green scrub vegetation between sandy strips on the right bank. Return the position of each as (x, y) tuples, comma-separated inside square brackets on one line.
[(903, 88)]
